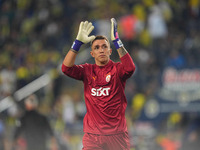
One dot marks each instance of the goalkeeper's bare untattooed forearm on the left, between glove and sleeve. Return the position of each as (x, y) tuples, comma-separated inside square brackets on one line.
[(70, 58)]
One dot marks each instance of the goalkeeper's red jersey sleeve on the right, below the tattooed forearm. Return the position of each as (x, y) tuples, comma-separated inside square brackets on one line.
[(127, 67)]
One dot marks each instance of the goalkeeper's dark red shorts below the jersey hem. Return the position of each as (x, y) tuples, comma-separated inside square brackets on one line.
[(106, 142)]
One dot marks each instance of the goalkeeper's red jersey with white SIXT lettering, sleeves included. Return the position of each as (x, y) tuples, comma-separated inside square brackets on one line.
[(104, 94)]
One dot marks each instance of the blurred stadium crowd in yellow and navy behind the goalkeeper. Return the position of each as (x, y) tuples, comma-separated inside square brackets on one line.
[(36, 34)]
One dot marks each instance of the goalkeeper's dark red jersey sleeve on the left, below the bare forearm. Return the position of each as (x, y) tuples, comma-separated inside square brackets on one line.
[(76, 71)]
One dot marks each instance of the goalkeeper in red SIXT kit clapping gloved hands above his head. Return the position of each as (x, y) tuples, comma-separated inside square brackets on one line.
[(104, 124)]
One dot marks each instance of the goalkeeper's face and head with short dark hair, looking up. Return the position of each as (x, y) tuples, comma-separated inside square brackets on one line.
[(101, 52)]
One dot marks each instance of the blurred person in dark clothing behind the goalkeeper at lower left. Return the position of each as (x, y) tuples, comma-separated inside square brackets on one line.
[(35, 127)]
